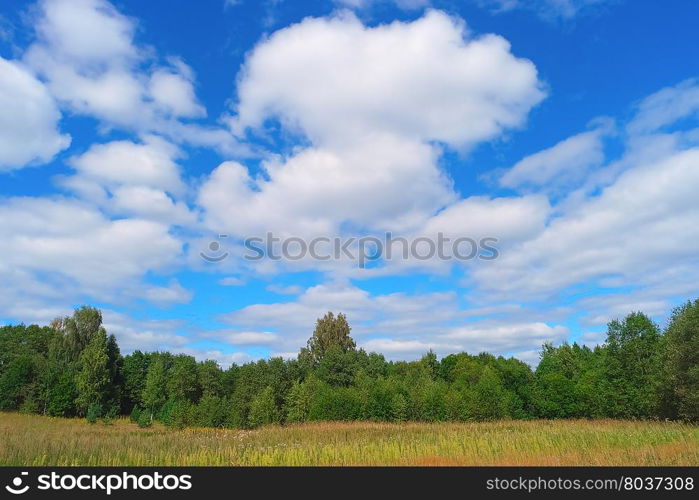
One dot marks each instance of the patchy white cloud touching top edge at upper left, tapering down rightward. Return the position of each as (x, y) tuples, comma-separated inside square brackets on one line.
[(86, 52)]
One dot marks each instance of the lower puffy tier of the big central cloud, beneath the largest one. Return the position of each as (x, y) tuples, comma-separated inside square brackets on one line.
[(315, 191)]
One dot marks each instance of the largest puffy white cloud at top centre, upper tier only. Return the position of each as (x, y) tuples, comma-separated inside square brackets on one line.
[(430, 79)]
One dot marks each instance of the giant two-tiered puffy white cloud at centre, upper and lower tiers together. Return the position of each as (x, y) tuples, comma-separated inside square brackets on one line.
[(421, 81)]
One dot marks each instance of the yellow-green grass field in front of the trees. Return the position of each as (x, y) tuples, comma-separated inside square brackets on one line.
[(35, 440)]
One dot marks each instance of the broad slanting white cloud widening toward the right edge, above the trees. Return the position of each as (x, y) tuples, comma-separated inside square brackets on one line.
[(638, 226)]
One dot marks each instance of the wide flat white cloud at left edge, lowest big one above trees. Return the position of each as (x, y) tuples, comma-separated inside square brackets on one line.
[(71, 245)]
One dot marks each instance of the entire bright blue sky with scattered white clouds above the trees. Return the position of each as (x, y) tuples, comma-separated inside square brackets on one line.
[(142, 143)]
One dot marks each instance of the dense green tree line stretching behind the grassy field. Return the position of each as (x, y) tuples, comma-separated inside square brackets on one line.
[(74, 368)]
